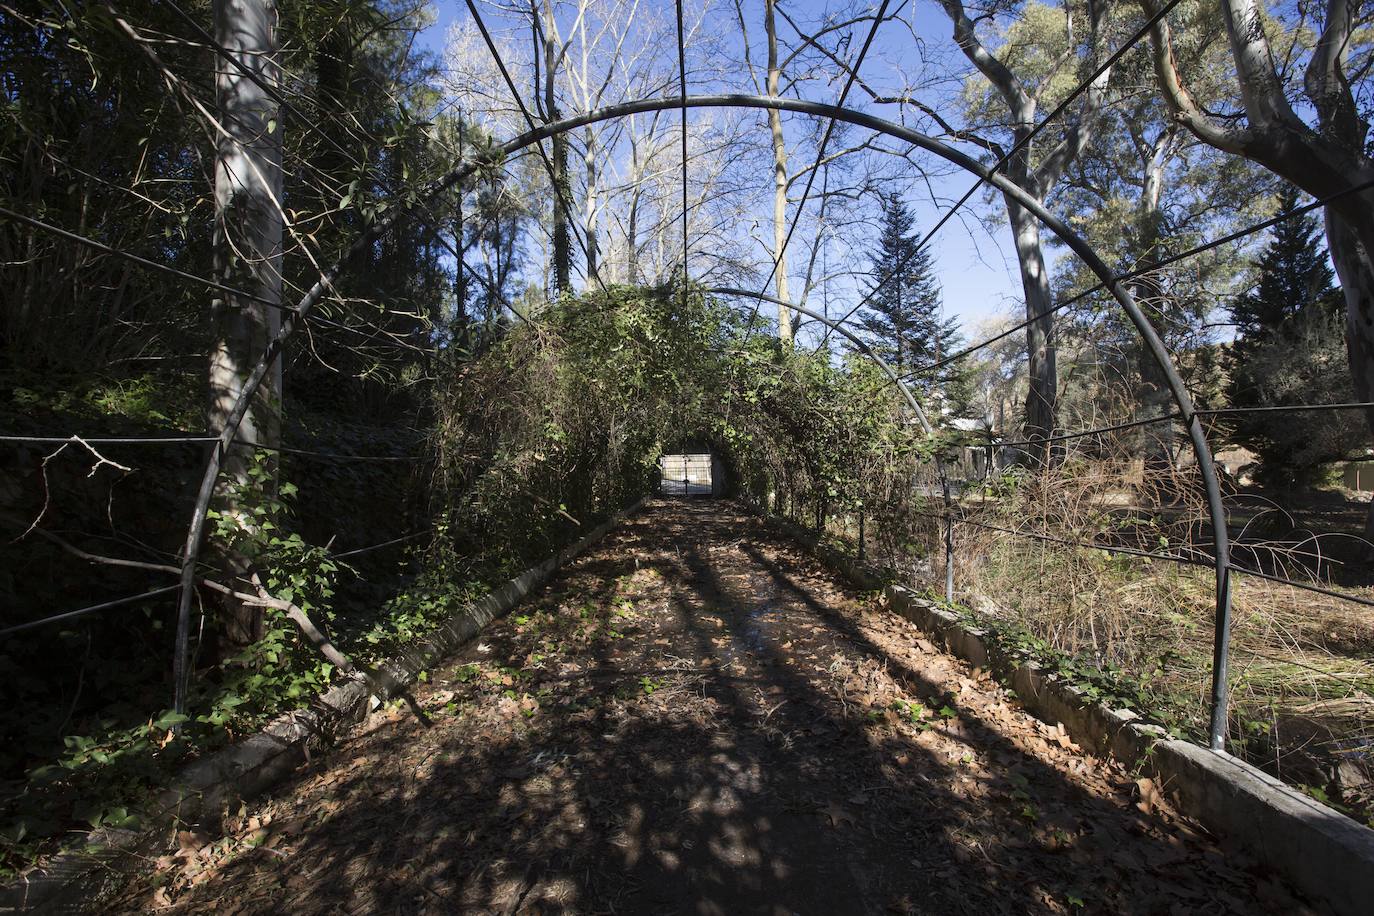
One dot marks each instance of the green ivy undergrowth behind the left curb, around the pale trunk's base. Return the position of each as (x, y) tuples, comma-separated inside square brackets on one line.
[(106, 768)]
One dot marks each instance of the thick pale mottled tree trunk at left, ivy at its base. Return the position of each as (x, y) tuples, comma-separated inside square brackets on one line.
[(248, 256)]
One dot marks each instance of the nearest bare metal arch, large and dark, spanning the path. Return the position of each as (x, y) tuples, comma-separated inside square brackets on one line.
[(1077, 244)]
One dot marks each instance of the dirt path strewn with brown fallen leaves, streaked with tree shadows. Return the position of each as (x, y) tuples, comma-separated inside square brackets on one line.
[(697, 719)]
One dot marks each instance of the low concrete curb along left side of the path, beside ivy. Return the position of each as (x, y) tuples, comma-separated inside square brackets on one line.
[(201, 792)]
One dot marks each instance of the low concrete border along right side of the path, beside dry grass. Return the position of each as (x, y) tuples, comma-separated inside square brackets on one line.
[(1321, 852)]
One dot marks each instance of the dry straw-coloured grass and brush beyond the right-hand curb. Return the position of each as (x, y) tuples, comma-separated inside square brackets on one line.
[(1138, 631)]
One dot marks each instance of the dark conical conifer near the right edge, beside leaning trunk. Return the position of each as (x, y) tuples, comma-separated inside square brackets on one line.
[(1291, 351)]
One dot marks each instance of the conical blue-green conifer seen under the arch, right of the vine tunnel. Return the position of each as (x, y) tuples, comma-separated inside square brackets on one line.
[(903, 322)]
